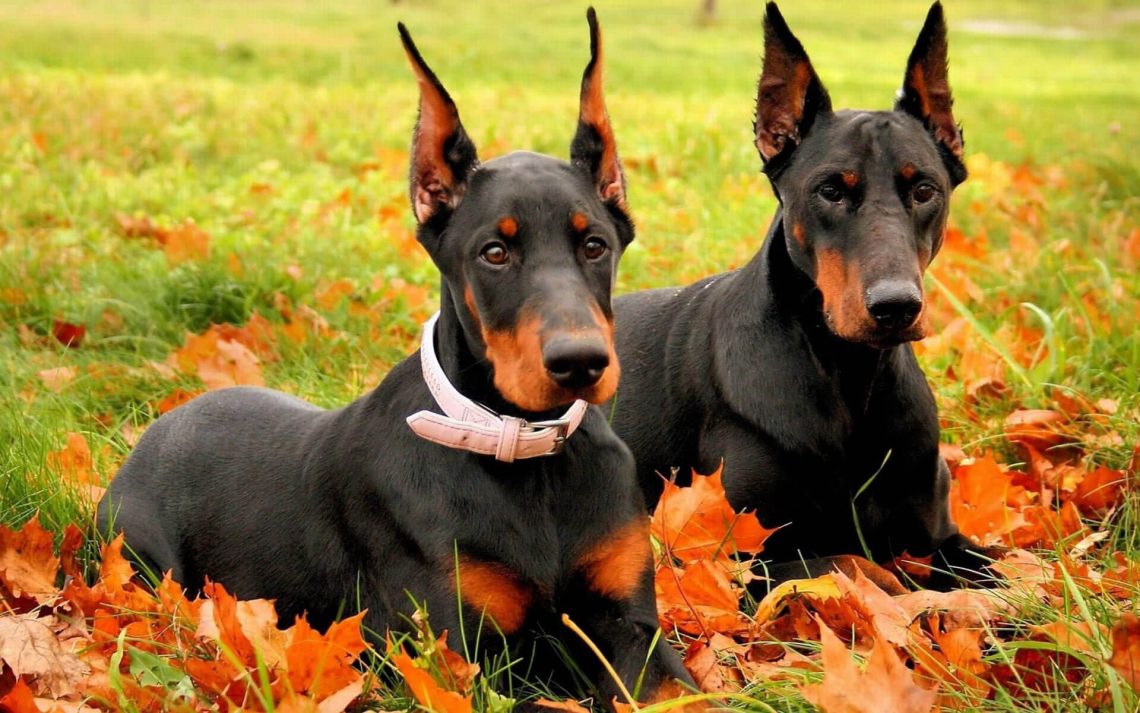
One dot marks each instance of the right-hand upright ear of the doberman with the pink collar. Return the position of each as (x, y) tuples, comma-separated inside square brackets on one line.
[(593, 148)]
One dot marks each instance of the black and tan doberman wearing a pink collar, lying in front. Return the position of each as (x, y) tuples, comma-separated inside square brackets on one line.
[(501, 503)]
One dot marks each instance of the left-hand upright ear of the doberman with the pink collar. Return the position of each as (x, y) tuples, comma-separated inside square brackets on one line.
[(443, 155)]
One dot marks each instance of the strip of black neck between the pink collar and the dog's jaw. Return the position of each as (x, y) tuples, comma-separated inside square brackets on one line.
[(461, 353)]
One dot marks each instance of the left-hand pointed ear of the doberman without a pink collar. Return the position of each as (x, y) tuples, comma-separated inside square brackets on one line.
[(791, 95)]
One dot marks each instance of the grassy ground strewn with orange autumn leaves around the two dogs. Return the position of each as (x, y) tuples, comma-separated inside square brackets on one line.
[(198, 199)]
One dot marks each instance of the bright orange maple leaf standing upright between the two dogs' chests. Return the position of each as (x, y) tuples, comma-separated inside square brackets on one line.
[(697, 522)]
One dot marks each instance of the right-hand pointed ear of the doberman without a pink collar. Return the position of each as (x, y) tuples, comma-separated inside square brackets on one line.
[(926, 92)]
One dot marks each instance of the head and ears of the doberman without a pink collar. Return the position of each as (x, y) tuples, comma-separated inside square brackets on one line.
[(865, 195)]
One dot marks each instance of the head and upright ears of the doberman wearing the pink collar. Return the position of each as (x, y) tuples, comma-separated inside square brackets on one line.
[(528, 246)]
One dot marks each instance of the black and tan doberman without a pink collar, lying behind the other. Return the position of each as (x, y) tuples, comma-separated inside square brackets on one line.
[(797, 370)]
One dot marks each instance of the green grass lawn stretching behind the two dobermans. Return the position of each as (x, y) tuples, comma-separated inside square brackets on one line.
[(254, 118)]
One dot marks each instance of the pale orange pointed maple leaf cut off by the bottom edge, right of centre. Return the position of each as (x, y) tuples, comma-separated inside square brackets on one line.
[(885, 685)]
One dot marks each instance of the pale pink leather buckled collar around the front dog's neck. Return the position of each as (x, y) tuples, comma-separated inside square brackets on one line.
[(473, 427)]
